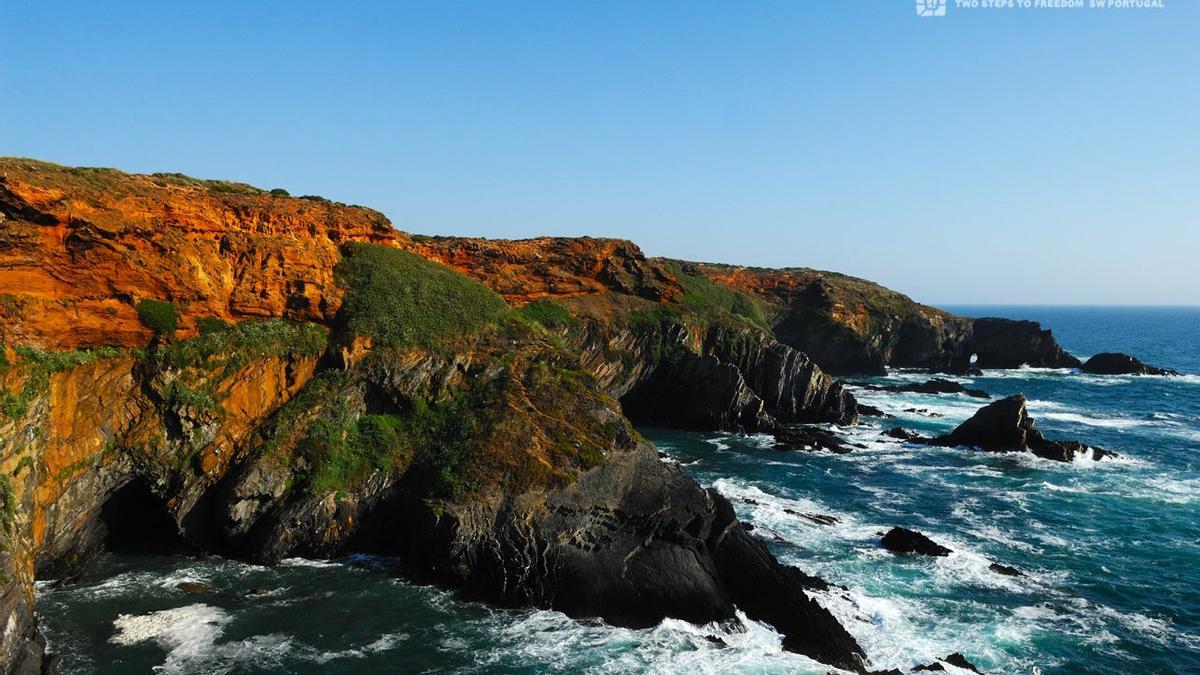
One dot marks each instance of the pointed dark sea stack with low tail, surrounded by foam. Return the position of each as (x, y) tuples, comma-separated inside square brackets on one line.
[(1005, 426)]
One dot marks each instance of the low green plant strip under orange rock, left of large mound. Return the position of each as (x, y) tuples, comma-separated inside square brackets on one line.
[(232, 347)]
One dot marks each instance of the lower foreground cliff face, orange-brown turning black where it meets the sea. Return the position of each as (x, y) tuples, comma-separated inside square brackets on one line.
[(567, 507)]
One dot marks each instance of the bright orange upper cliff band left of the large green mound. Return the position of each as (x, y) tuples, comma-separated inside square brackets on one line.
[(82, 247)]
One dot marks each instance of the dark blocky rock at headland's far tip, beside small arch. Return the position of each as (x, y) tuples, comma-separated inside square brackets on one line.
[(1005, 343)]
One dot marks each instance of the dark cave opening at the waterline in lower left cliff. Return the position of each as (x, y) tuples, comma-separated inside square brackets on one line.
[(137, 522)]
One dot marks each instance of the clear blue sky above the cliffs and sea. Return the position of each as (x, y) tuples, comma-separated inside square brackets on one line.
[(983, 157)]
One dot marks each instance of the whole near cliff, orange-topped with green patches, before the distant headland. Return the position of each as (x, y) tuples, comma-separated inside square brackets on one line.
[(207, 367)]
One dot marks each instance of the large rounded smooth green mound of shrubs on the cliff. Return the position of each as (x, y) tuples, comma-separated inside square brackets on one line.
[(401, 300)]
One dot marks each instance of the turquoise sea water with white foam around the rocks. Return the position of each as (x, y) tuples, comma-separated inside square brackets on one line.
[(1112, 551)]
